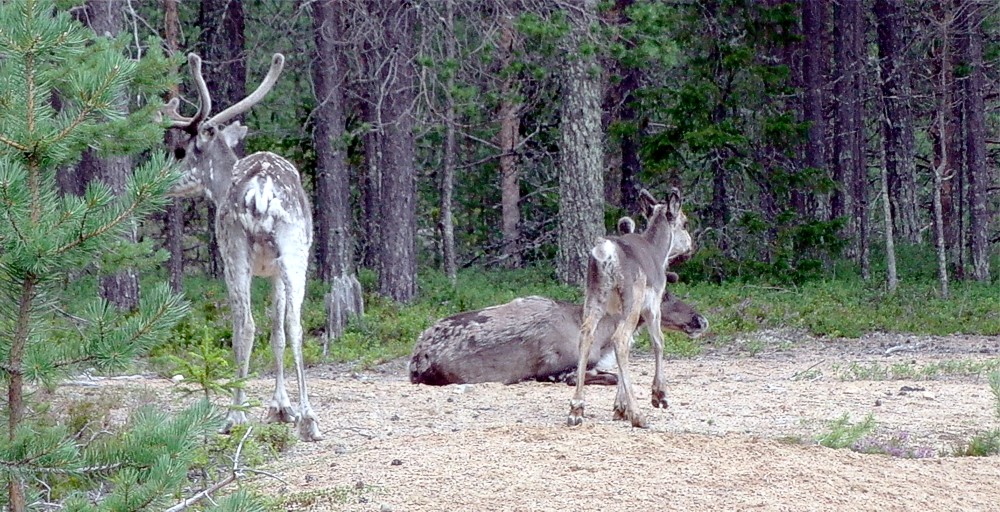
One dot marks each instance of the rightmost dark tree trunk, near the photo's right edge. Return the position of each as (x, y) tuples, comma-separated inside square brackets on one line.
[(978, 172)]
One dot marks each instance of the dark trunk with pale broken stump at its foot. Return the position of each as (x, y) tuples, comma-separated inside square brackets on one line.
[(334, 241)]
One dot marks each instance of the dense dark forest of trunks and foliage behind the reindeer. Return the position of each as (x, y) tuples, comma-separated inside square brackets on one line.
[(461, 133)]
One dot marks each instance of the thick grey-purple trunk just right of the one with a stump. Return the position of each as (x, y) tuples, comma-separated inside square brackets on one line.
[(397, 244)]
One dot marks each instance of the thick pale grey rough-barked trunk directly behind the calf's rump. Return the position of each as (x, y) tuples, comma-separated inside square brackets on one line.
[(581, 179)]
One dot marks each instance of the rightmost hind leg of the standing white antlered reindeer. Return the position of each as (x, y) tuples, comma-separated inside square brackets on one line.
[(307, 425)]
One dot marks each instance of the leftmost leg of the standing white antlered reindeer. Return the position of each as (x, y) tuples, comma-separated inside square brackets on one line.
[(237, 273)]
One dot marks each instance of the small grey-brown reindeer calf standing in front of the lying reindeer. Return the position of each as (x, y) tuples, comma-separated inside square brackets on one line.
[(626, 277)]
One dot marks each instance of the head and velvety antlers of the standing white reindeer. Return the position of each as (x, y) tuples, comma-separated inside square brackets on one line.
[(205, 145)]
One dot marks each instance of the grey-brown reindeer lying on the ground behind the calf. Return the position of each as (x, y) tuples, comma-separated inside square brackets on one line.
[(529, 338)]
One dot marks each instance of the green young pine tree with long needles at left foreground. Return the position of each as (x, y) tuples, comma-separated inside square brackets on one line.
[(60, 91)]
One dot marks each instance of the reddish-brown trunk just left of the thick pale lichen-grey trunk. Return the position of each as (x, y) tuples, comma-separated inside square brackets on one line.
[(510, 181)]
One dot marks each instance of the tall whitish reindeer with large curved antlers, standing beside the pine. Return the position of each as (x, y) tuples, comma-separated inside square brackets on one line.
[(264, 227)]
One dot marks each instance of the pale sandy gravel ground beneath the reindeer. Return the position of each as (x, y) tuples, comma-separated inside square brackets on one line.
[(740, 434)]
